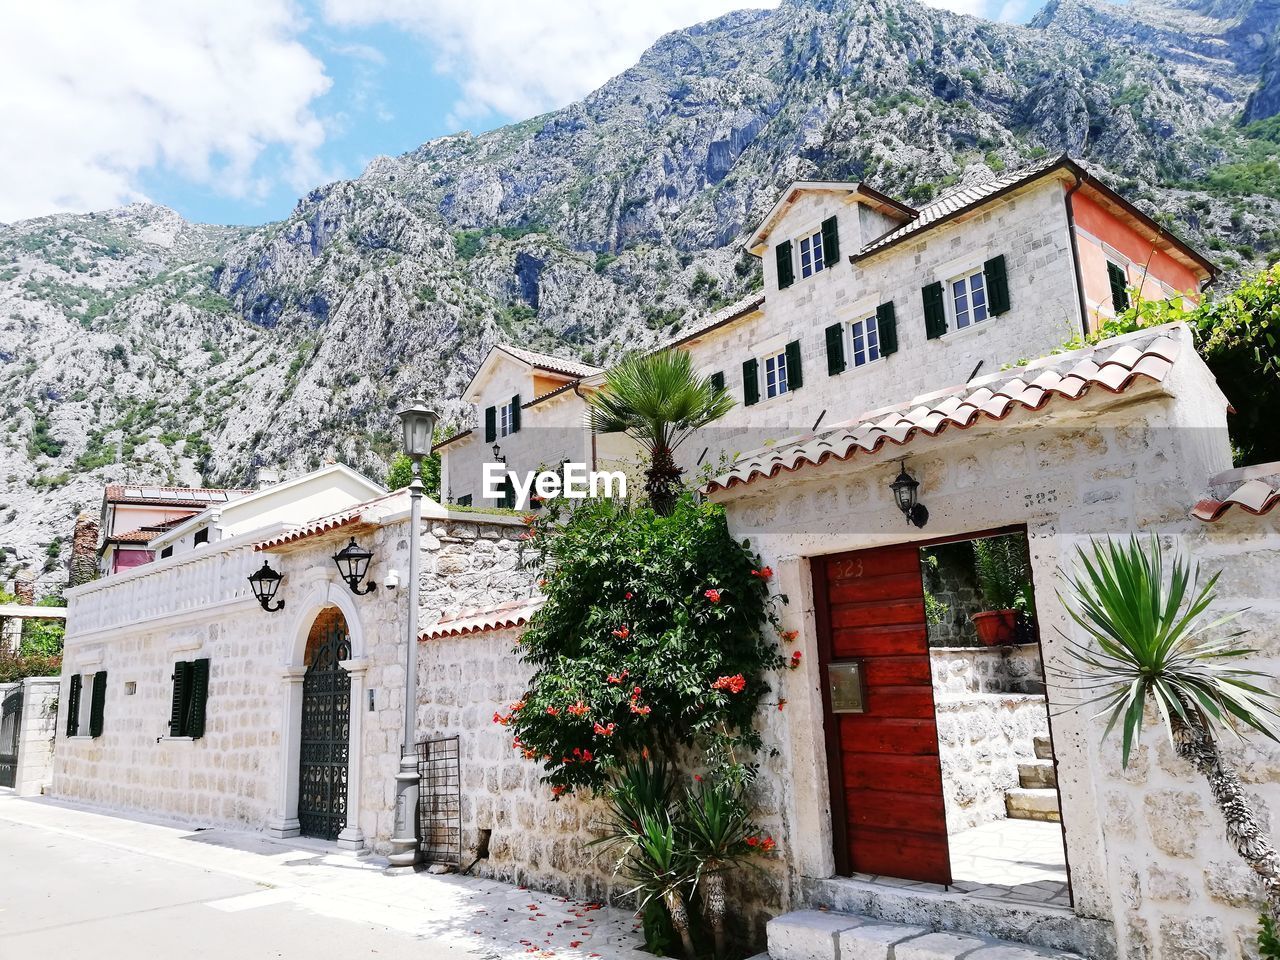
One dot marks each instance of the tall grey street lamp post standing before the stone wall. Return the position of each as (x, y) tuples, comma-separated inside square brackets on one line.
[(418, 424)]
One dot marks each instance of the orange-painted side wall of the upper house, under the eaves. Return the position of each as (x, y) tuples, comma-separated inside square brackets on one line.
[(1149, 266)]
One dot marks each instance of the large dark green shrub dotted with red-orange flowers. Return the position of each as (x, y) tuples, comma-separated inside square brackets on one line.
[(657, 633)]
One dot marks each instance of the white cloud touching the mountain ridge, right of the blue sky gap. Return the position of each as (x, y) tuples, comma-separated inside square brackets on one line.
[(519, 60)]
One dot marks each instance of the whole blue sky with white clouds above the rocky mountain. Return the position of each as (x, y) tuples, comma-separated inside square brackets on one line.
[(230, 111)]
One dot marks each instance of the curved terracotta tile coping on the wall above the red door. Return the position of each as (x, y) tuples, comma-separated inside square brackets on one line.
[(1114, 367)]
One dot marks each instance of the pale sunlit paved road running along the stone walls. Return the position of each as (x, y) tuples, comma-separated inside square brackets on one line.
[(81, 884)]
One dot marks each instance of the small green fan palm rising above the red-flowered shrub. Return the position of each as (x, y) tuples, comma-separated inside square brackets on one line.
[(660, 403)]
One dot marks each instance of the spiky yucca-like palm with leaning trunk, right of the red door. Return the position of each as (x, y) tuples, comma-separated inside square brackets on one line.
[(1154, 644)]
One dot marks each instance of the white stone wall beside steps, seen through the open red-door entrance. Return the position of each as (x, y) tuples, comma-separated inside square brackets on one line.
[(982, 738)]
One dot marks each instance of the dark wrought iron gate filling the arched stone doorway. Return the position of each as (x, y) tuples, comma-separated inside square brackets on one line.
[(326, 735)]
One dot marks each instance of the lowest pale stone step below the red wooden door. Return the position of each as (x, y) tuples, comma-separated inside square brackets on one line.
[(817, 935)]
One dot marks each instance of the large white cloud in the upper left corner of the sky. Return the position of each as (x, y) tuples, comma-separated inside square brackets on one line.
[(95, 94)]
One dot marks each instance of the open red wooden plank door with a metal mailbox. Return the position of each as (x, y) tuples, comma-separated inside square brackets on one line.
[(886, 779)]
